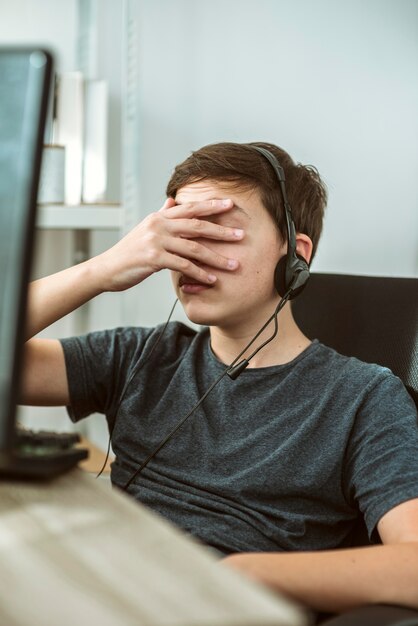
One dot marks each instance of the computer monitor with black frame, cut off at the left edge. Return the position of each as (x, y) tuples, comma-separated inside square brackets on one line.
[(25, 78)]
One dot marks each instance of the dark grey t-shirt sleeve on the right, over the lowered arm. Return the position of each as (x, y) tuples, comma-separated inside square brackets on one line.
[(382, 455)]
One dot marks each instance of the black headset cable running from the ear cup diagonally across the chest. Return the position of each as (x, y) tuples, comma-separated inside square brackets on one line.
[(227, 370)]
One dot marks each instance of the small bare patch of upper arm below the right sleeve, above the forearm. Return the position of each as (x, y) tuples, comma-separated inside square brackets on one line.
[(400, 524)]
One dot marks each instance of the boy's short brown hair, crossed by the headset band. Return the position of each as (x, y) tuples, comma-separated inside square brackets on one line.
[(245, 168)]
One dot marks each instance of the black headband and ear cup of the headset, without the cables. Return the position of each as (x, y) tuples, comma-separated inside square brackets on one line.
[(292, 271)]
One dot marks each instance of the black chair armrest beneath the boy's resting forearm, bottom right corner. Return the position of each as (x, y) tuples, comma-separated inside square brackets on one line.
[(375, 615)]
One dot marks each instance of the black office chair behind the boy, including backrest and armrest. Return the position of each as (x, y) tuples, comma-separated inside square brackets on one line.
[(376, 320)]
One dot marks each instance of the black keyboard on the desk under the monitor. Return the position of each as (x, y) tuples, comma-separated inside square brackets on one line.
[(43, 454)]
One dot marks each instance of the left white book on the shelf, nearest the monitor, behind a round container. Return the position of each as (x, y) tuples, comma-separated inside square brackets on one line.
[(68, 131)]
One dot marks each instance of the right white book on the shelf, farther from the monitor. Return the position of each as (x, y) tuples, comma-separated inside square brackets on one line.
[(95, 140)]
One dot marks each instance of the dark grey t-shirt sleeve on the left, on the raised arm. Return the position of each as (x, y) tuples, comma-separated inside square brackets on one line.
[(98, 365)]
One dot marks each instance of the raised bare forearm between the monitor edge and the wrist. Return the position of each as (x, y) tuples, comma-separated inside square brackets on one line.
[(53, 297)]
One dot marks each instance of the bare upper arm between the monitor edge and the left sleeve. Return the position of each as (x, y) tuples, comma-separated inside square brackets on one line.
[(44, 380)]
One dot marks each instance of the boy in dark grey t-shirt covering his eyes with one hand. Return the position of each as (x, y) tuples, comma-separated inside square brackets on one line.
[(271, 469)]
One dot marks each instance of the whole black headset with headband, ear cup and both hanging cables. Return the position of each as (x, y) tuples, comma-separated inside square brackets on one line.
[(290, 277)]
